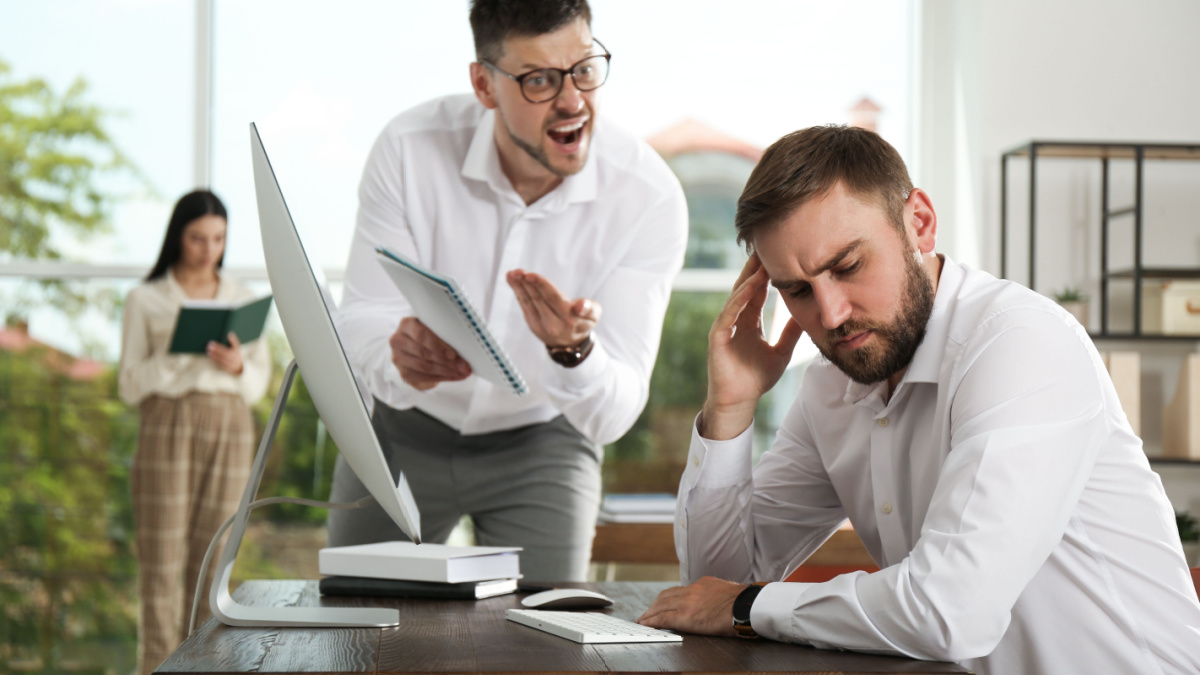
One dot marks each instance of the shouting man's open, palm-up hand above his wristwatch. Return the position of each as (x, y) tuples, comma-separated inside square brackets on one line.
[(555, 320)]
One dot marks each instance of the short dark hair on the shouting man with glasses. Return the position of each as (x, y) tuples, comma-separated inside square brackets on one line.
[(493, 22)]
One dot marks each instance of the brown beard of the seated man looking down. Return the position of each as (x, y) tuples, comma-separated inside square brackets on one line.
[(898, 341)]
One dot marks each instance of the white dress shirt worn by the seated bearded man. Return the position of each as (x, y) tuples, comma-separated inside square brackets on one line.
[(1012, 510)]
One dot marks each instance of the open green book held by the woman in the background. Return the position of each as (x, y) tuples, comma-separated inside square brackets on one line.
[(207, 321)]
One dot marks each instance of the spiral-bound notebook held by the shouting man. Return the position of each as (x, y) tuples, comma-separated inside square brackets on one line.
[(443, 307)]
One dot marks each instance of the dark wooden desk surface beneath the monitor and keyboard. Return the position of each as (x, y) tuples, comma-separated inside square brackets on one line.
[(472, 637)]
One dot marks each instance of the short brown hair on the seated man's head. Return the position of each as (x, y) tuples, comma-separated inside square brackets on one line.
[(809, 163)]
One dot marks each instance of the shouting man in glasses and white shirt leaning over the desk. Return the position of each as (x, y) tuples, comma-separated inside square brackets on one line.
[(545, 216)]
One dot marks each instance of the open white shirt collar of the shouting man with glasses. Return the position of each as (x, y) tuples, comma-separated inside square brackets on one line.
[(483, 164)]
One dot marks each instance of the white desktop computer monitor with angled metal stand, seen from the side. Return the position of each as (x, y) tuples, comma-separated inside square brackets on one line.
[(305, 309)]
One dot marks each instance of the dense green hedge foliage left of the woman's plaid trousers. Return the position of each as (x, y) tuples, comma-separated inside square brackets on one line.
[(67, 543)]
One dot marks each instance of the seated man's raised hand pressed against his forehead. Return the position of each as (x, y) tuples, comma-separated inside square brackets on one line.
[(742, 365)]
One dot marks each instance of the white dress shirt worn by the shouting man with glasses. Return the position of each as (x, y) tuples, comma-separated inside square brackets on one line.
[(434, 192)]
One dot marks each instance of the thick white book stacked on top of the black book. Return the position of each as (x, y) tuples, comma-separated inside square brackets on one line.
[(422, 563)]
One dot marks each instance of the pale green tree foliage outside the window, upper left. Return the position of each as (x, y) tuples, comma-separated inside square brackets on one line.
[(55, 156)]
